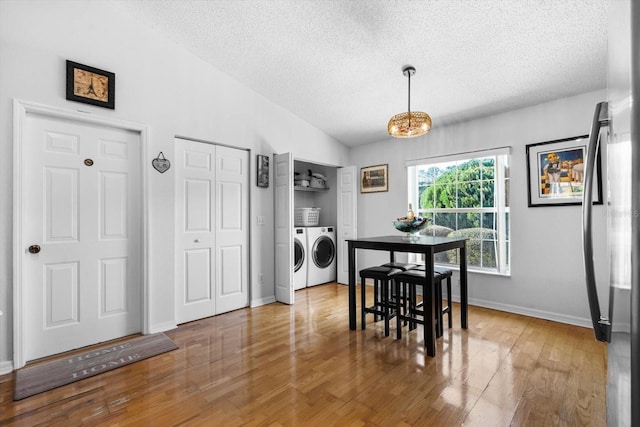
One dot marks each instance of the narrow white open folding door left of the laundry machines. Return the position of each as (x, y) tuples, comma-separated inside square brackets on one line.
[(283, 179)]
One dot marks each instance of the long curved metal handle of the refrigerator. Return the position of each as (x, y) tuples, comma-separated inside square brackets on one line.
[(601, 325)]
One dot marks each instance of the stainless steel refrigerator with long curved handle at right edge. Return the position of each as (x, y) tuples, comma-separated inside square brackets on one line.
[(616, 127)]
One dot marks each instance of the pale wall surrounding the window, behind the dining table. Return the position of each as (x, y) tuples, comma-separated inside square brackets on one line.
[(547, 276)]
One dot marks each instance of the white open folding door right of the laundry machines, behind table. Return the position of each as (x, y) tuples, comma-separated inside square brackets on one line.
[(347, 217)]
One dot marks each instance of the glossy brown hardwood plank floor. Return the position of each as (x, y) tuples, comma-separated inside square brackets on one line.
[(299, 365)]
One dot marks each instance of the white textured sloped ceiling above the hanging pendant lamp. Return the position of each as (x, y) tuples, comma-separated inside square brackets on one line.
[(338, 63)]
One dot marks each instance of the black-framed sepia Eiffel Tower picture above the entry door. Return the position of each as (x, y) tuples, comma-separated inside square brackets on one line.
[(91, 85)]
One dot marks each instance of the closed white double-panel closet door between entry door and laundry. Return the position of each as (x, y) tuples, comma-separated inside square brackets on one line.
[(212, 186)]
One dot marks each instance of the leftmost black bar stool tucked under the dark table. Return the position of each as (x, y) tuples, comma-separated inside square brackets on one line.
[(383, 307)]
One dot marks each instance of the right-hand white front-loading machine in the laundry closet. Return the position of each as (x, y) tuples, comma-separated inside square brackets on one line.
[(321, 247)]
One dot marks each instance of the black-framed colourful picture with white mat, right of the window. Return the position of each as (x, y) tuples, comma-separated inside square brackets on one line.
[(555, 172)]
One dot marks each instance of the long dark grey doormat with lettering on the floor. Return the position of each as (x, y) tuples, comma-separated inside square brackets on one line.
[(56, 373)]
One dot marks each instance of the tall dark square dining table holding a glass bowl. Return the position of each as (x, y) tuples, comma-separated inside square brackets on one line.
[(427, 245)]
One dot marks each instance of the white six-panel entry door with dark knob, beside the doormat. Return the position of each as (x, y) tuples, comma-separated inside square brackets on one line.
[(82, 226)]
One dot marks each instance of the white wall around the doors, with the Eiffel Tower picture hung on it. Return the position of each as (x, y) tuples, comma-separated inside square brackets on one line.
[(157, 84)]
